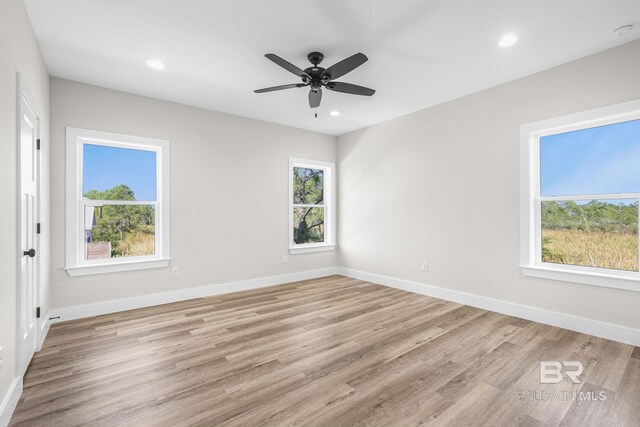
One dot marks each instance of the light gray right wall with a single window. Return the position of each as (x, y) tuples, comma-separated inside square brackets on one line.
[(442, 185)]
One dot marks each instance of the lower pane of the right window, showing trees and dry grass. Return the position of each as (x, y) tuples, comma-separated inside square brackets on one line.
[(597, 233)]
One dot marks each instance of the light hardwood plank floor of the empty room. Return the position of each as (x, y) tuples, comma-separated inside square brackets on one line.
[(331, 352)]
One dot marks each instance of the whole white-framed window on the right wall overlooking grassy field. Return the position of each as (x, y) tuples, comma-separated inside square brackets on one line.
[(581, 190)]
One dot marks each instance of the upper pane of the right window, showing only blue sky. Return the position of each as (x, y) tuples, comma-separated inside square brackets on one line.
[(600, 160)]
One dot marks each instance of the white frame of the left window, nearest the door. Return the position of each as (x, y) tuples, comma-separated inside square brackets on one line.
[(76, 264)]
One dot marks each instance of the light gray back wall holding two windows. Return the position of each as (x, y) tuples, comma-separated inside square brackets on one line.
[(229, 192)]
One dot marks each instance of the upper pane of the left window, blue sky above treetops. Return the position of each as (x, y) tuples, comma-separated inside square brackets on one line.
[(110, 173)]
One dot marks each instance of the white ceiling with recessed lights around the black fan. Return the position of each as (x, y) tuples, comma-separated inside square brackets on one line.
[(421, 52)]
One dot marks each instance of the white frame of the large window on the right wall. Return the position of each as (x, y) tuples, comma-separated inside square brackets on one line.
[(531, 263)]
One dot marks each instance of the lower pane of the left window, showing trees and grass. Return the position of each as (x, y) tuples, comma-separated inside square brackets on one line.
[(119, 231)]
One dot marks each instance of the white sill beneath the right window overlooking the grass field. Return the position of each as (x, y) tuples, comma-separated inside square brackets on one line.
[(616, 281)]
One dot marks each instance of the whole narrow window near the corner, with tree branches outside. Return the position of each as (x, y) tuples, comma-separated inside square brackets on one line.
[(311, 206)]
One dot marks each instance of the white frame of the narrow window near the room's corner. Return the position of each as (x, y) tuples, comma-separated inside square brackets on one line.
[(328, 204)]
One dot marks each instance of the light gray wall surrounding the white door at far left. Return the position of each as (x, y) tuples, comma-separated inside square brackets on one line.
[(19, 52)]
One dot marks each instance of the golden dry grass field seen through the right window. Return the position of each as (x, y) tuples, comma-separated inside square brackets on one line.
[(617, 251)]
